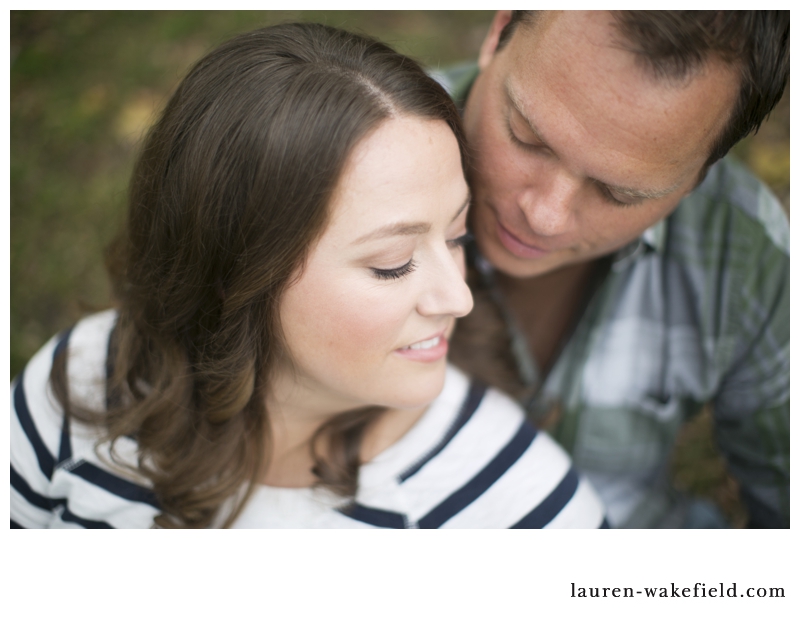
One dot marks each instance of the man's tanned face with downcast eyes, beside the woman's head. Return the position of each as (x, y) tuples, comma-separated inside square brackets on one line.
[(577, 148)]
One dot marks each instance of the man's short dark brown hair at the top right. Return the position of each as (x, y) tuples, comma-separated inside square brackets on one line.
[(672, 44)]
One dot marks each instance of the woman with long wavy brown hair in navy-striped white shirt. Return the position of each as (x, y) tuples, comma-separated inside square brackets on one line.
[(290, 271)]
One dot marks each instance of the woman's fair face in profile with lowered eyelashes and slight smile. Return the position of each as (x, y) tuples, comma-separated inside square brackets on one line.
[(367, 321)]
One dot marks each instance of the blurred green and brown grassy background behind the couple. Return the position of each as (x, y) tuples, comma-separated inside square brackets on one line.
[(86, 85)]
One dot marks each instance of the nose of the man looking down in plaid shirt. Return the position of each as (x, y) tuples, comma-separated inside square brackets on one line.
[(548, 203)]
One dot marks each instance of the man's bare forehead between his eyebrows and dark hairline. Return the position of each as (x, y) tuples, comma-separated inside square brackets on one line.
[(566, 75)]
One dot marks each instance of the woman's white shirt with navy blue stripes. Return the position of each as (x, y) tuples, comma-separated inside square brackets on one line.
[(471, 461)]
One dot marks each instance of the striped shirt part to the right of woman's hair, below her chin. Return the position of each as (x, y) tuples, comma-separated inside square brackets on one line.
[(470, 462)]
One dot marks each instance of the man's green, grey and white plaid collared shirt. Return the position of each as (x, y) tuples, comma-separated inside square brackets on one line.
[(694, 312)]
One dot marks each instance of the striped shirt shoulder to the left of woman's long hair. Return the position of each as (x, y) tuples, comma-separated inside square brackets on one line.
[(58, 478)]
